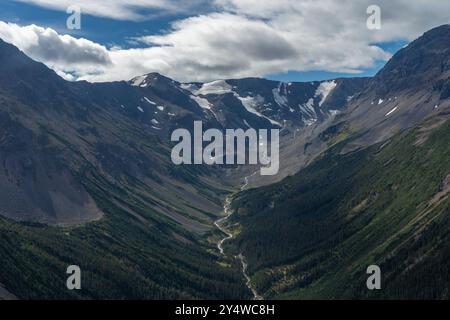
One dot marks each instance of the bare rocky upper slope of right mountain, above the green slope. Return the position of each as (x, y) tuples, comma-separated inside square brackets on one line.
[(412, 84)]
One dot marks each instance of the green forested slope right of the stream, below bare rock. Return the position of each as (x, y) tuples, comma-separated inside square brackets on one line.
[(325, 225)]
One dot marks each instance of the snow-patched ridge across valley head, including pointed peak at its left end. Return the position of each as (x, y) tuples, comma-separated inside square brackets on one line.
[(254, 102)]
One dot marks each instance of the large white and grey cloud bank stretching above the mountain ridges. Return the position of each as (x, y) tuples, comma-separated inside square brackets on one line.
[(243, 38)]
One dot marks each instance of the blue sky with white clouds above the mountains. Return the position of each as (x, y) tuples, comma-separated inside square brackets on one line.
[(205, 40)]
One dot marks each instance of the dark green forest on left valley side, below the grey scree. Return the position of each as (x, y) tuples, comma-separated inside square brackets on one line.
[(120, 256)]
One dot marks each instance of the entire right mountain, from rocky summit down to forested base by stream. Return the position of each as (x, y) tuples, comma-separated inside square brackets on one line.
[(378, 193)]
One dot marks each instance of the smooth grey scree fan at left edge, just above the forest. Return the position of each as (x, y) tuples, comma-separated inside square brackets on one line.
[(35, 185)]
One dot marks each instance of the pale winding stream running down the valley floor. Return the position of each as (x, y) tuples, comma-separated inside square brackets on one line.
[(219, 224)]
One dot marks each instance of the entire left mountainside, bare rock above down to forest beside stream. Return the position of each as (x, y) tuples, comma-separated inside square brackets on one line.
[(78, 152)]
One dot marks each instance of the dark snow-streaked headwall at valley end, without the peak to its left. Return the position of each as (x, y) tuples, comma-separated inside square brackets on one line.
[(263, 102)]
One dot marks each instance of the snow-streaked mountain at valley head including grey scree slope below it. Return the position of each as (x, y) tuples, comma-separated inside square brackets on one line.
[(298, 109)]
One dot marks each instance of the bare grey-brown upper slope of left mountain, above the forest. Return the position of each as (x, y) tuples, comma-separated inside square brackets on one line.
[(52, 130)]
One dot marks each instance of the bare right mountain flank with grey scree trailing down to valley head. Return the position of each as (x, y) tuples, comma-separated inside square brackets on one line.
[(412, 86)]
